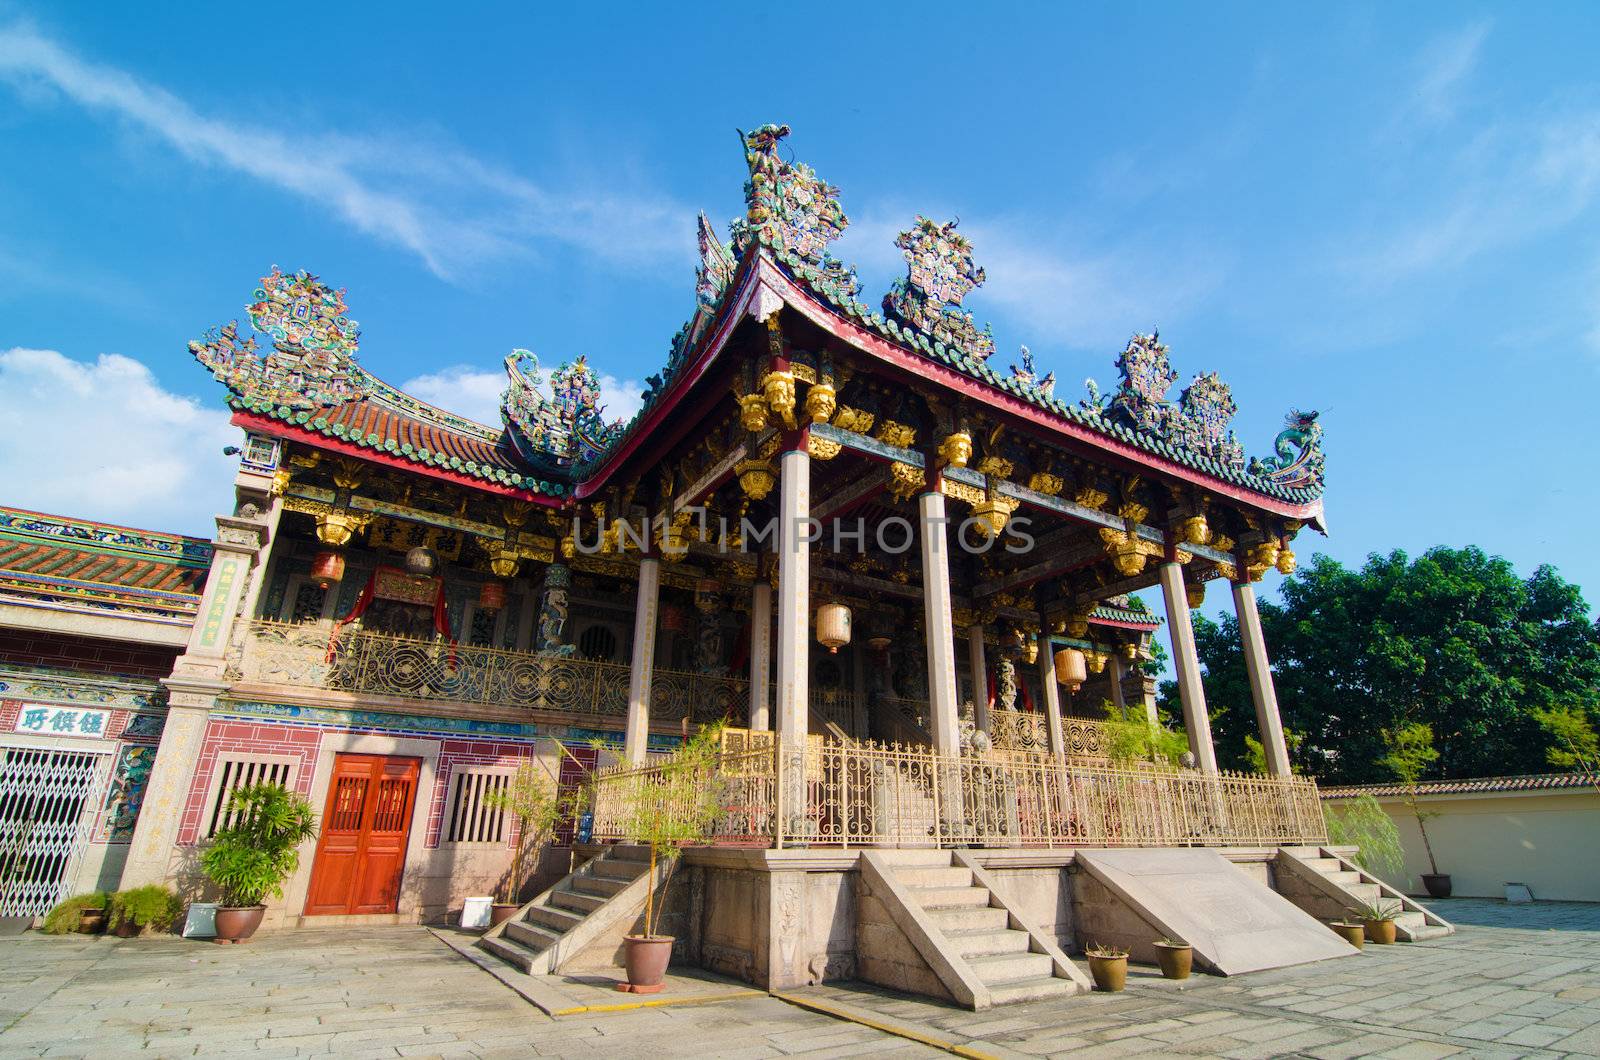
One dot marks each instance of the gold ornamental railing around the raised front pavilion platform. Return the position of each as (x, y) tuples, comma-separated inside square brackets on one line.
[(866, 795)]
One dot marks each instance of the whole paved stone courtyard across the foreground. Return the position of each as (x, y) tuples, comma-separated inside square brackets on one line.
[(1516, 982)]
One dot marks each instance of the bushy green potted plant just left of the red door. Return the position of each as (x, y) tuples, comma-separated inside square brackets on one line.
[(255, 854)]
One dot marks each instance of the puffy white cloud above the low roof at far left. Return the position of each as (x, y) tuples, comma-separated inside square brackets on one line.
[(103, 440)]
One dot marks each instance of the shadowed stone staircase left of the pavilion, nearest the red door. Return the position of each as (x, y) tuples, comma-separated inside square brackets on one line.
[(574, 913)]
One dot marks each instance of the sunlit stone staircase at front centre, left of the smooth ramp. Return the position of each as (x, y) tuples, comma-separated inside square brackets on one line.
[(994, 955)]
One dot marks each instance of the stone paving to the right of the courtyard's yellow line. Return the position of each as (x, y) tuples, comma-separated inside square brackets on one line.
[(1513, 982)]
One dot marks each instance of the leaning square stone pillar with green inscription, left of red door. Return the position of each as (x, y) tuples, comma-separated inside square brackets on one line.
[(198, 680)]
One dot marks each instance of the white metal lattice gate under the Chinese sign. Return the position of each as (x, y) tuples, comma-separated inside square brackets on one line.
[(49, 803)]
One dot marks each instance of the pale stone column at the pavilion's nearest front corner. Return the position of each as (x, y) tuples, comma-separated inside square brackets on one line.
[(794, 625)]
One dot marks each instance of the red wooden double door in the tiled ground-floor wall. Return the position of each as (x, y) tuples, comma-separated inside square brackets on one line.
[(364, 835)]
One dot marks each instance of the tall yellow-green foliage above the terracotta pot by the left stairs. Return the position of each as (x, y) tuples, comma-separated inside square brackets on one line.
[(676, 806)]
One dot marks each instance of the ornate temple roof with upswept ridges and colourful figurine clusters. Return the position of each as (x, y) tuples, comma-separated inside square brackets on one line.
[(556, 438)]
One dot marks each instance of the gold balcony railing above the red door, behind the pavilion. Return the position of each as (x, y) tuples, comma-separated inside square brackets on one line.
[(378, 664)]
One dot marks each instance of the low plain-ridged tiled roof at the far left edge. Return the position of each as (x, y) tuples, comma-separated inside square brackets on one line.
[(102, 568)]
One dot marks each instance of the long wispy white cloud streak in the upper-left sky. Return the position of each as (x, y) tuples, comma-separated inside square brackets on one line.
[(442, 206)]
